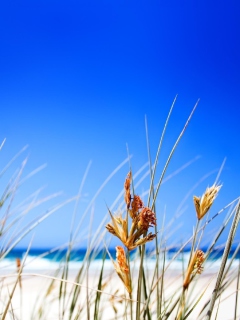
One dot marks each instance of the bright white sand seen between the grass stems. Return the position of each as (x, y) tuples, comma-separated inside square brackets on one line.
[(27, 302)]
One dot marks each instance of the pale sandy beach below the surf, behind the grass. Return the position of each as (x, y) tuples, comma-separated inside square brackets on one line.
[(36, 300)]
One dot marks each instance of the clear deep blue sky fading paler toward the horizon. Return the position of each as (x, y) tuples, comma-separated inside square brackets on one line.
[(77, 79)]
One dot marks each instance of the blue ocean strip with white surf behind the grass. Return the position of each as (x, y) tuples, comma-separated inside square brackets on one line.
[(49, 259)]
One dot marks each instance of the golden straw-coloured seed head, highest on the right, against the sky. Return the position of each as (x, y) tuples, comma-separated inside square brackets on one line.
[(203, 204)]
